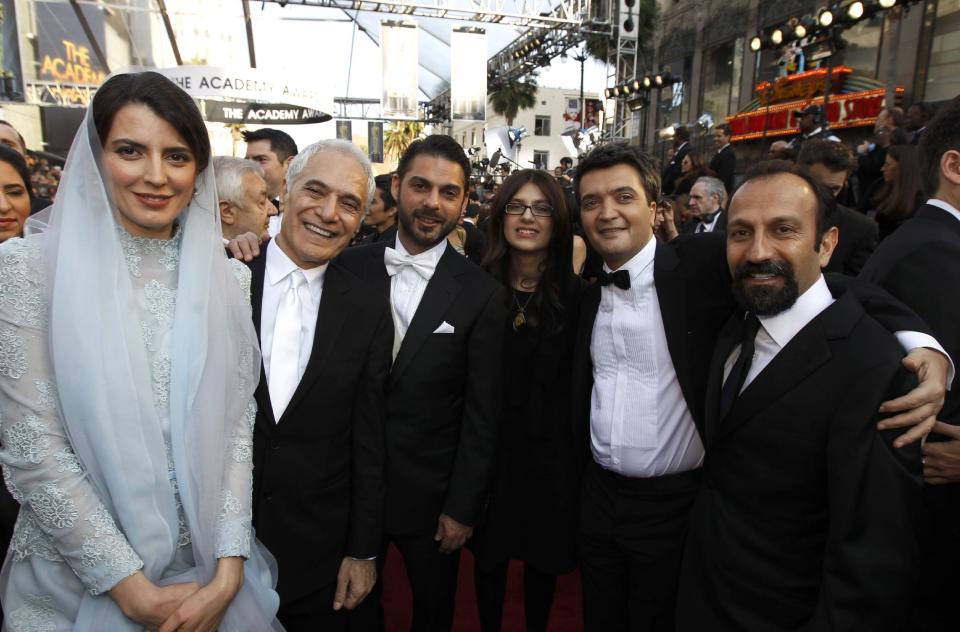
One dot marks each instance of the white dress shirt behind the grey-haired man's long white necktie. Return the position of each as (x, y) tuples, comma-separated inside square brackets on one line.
[(276, 281)]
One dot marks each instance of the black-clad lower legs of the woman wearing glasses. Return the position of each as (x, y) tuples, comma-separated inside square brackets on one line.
[(538, 591)]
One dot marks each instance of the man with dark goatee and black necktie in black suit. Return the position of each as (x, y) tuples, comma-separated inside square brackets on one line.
[(806, 516)]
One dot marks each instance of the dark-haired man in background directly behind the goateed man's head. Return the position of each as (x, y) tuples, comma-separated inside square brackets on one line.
[(830, 164)]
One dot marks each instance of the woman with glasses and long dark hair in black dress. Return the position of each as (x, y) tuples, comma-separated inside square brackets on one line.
[(532, 511)]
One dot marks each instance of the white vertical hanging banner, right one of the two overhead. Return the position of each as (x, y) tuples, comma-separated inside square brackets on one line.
[(468, 74)]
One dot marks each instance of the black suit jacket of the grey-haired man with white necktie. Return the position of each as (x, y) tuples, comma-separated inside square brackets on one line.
[(318, 474)]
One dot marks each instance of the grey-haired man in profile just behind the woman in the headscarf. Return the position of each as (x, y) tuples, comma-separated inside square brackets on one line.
[(242, 190)]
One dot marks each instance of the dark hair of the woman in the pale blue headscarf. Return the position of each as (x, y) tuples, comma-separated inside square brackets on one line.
[(164, 98)]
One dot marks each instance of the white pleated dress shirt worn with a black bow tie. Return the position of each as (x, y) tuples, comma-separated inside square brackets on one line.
[(640, 425)]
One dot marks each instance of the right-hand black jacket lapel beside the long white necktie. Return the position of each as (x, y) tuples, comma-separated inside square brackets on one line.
[(330, 318)]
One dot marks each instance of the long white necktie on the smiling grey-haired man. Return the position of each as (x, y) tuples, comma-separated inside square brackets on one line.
[(285, 351)]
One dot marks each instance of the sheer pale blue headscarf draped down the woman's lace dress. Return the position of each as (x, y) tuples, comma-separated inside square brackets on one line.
[(104, 386)]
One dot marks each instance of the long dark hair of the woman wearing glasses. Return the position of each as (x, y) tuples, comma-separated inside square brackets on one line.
[(546, 305)]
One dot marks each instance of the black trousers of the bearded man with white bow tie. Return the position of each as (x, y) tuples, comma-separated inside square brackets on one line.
[(433, 581)]
